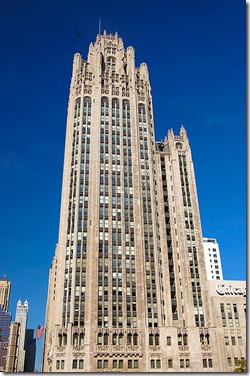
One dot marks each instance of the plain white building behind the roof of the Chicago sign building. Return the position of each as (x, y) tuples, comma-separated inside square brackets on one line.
[(212, 258)]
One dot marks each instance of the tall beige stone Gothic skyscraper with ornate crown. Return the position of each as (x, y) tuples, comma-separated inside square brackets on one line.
[(128, 288)]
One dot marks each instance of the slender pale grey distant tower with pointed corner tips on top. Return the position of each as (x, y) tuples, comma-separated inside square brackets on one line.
[(21, 317)]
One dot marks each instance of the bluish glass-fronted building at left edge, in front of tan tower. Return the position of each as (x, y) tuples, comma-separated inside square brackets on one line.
[(5, 320)]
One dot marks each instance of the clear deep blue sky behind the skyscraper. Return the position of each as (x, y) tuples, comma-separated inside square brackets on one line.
[(195, 51)]
